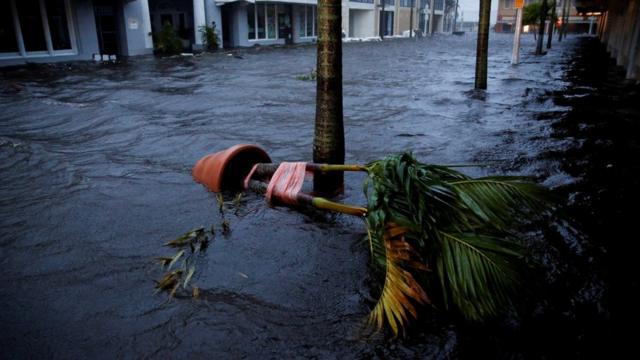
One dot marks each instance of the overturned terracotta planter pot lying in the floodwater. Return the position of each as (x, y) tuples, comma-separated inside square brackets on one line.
[(227, 169)]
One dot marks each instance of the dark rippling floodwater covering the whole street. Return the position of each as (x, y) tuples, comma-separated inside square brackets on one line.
[(96, 159)]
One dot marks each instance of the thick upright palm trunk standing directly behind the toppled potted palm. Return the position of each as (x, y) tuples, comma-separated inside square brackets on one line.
[(328, 143)]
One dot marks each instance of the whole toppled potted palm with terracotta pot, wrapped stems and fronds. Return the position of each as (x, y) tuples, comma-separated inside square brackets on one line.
[(438, 236)]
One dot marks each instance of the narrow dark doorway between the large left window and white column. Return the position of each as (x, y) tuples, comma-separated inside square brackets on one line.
[(107, 26)]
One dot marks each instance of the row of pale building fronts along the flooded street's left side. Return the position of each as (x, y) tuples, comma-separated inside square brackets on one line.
[(65, 30)]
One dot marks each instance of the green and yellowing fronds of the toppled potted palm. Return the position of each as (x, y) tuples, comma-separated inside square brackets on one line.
[(459, 225)]
